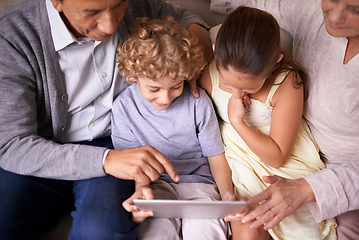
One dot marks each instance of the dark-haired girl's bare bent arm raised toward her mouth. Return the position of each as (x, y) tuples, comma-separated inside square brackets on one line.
[(286, 118)]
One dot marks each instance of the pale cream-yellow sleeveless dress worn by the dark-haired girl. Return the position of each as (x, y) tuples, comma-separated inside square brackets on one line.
[(248, 169)]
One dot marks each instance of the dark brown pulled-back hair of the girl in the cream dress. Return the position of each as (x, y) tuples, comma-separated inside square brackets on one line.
[(249, 41)]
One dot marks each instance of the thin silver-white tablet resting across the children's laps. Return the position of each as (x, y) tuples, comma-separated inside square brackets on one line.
[(190, 209)]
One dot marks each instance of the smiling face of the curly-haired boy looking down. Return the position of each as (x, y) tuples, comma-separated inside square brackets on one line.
[(160, 93)]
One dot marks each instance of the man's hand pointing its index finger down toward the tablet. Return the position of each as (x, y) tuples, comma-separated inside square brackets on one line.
[(142, 164)]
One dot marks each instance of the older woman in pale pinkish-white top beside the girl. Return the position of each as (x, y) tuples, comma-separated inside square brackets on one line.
[(326, 43)]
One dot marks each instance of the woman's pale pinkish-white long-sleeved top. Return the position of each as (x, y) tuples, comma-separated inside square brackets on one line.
[(332, 107)]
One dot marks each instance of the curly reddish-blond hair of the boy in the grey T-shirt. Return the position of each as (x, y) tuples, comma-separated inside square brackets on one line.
[(160, 48)]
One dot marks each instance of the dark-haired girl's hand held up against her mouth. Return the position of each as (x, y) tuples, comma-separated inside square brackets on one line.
[(237, 107)]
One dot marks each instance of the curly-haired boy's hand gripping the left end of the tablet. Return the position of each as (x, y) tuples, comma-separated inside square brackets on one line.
[(138, 216)]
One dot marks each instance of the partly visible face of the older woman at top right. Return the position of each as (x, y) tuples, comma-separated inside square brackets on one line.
[(341, 17)]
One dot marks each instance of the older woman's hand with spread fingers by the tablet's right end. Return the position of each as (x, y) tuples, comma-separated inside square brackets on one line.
[(280, 199)]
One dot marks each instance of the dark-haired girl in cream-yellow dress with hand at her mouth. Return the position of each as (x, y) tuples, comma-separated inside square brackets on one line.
[(258, 93)]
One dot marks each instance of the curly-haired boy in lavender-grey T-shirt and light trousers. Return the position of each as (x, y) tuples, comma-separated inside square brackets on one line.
[(159, 110)]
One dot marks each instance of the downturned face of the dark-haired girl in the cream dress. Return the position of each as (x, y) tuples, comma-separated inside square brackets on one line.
[(239, 84)]
